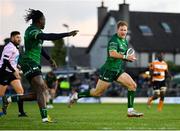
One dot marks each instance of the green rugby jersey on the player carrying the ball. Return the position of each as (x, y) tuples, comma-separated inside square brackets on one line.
[(120, 45)]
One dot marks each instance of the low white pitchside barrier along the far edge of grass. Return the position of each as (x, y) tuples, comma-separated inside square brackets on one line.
[(65, 99)]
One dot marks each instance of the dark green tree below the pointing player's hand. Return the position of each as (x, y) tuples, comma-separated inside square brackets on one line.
[(58, 53)]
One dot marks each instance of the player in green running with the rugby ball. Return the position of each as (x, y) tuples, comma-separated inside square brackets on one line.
[(113, 70)]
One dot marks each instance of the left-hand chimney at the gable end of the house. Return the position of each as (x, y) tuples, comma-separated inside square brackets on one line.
[(102, 12)]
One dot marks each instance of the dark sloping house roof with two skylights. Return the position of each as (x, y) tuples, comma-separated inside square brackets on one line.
[(159, 41)]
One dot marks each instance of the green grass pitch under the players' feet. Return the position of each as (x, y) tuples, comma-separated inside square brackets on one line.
[(93, 117)]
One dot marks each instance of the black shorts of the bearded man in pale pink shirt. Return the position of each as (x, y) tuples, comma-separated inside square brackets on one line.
[(6, 77)]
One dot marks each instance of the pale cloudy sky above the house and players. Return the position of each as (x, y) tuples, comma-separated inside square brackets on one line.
[(78, 14)]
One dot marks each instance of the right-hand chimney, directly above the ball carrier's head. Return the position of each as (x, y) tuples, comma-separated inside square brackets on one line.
[(124, 12)]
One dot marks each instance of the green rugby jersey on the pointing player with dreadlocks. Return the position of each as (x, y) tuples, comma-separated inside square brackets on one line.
[(32, 44)]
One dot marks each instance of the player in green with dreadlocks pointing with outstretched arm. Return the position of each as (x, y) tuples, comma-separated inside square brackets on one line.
[(30, 60)]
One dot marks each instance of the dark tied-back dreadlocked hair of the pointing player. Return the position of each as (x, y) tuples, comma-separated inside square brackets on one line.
[(35, 15)]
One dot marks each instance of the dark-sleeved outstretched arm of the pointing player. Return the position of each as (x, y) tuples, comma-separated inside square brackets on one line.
[(54, 36)]
